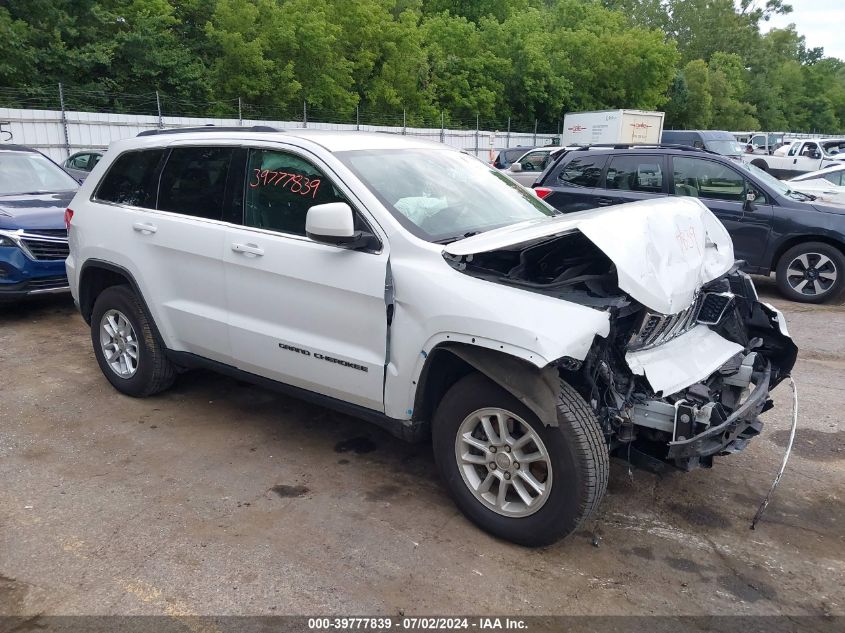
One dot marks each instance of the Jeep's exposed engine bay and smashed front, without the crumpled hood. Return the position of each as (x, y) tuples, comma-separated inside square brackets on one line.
[(683, 425)]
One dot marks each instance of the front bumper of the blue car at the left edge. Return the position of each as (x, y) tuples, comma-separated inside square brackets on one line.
[(22, 277)]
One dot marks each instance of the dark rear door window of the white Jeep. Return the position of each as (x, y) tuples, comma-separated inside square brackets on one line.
[(193, 181)]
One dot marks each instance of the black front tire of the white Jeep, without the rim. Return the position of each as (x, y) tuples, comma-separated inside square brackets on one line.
[(576, 447)]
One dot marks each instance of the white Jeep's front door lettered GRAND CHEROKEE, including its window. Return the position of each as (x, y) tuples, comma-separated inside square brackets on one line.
[(303, 313)]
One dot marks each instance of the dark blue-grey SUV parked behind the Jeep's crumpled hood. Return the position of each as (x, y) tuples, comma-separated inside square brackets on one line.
[(774, 227)]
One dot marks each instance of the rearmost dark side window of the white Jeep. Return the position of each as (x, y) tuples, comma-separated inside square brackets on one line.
[(132, 179)]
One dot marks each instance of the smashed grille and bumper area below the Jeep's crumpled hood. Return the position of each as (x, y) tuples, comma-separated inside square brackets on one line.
[(687, 423)]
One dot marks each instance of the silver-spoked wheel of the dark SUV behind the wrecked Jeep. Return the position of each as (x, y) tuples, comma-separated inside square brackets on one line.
[(813, 272)]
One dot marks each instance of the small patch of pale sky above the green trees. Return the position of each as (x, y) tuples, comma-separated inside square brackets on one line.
[(819, 21)]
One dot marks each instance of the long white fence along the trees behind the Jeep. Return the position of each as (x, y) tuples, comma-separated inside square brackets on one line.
[(44, 130)]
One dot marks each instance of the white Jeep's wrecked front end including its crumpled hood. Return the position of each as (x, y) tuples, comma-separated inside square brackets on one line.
[(691, 356)]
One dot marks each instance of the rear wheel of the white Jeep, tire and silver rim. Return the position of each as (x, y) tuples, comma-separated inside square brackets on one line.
[(129, 355)]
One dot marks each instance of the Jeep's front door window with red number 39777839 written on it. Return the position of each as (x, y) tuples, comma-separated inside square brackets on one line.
[(281, 188)]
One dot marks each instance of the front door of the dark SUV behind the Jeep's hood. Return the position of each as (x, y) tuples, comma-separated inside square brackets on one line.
[(723, 190)]
